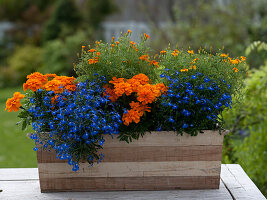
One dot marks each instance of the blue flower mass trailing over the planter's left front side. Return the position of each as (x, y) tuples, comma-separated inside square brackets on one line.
[(74, 123)]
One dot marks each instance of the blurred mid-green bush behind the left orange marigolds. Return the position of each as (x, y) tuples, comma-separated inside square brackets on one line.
[(58, 55)]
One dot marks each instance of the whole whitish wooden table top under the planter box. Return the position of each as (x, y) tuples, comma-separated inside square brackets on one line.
[(23, 184)]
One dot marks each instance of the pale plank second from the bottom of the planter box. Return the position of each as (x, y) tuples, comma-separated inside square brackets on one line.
[(132, 169)]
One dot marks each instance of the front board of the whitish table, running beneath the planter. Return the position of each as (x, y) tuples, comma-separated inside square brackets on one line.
[(30, 190)]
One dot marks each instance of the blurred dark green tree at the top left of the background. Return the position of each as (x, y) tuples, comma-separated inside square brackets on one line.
[(65, 15)]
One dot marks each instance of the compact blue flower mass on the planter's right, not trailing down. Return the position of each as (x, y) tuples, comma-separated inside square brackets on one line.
[(193, 101)]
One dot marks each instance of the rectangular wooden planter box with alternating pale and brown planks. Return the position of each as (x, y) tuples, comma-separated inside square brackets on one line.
[(158, 161)]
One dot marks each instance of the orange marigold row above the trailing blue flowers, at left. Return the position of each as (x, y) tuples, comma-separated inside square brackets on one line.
[(49, 82)]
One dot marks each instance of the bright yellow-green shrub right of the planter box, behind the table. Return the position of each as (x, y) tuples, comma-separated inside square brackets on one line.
[(247, 144)]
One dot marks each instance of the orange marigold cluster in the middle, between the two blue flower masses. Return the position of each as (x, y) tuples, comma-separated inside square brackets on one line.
[(138, 86)]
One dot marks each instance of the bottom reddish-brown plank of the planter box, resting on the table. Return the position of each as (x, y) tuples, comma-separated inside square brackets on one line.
[(133, 183)]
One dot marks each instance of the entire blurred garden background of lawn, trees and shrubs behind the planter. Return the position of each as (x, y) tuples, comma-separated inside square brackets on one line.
[(45, 36)]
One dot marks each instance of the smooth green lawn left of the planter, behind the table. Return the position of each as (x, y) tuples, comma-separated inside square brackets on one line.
[(15, 147)]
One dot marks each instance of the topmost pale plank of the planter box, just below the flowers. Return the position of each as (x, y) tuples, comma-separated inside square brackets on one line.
[(169, 139)]
